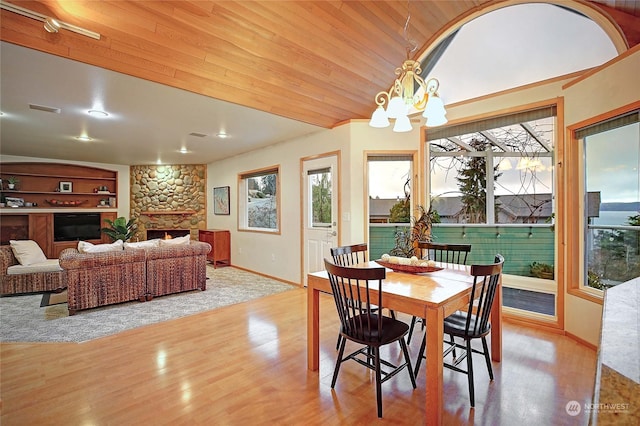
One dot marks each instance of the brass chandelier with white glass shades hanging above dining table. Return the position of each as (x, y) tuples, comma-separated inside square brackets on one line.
[(403, 96)]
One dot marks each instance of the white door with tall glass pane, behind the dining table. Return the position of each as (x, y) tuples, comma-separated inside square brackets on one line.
[(320, 211)]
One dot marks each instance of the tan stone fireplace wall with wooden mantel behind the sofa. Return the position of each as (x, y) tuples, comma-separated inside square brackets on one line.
[(165, 189)]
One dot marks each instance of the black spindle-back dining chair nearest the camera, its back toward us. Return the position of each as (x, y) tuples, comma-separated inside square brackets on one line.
[(362, 324)]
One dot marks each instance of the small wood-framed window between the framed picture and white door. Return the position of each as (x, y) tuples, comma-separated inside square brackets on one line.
[(259, 205)]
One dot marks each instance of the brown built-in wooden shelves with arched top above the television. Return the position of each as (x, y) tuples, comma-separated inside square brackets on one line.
[(55, 185)]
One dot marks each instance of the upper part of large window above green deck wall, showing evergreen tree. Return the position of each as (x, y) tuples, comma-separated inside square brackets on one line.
[(496, 171)]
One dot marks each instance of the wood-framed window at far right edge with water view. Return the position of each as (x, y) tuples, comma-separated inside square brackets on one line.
[(612, 201)]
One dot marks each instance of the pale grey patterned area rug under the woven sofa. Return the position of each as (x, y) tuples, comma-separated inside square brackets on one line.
[(22, 319)]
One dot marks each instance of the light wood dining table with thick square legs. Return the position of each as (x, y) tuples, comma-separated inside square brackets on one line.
[(433, 296)]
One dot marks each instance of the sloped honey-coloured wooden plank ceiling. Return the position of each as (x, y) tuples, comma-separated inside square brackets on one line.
[(319, 62)]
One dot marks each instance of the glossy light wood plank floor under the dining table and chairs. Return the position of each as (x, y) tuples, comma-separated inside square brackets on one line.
[(246, 364)]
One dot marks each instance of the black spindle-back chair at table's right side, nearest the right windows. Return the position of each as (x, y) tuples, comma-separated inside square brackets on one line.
[(471, 324)]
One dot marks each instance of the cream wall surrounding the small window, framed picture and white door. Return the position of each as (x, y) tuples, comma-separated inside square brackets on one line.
[(273, 255)]
